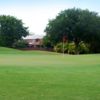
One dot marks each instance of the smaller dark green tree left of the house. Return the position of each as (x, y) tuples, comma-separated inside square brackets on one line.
[(11, 30)]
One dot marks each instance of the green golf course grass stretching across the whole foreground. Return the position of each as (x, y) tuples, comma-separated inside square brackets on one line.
[(39, 75)]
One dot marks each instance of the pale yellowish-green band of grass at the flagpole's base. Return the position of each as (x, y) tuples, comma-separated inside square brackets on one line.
[(48, 60)]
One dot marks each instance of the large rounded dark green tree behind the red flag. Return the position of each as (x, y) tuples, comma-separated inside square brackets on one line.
[(77, 25)]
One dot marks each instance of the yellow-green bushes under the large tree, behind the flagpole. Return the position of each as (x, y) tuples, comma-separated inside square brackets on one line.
[(71, 48)]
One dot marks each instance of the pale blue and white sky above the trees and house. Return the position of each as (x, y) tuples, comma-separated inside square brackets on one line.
[(36, 13)]
